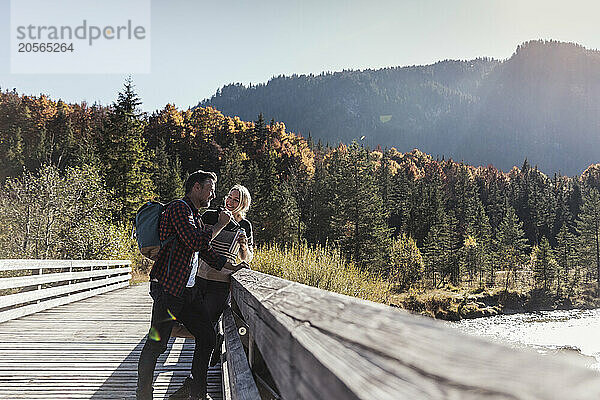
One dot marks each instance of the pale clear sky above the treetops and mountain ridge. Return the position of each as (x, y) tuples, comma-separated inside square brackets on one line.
[(198, 46)]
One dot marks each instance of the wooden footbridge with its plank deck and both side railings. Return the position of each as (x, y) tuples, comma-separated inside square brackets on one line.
[(77, 330)]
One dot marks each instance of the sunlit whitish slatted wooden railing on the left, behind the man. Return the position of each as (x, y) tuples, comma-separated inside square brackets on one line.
[(29, 286)]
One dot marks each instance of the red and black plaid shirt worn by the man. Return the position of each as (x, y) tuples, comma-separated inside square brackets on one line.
[(183, 221)]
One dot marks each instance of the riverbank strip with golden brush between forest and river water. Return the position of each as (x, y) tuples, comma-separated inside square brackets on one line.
[(454, 304)]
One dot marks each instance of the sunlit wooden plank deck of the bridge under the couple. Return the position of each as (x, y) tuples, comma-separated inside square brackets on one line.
[(89, 350)]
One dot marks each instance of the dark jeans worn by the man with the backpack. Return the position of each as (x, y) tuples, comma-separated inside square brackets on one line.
[(189, 310)]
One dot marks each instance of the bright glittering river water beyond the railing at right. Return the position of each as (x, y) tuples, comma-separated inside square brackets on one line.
[(545, 331)]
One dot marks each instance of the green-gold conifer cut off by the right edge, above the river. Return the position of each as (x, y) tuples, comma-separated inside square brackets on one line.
[(589, 226)]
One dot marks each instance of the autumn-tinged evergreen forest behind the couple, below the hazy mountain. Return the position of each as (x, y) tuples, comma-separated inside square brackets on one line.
[(73, 176)]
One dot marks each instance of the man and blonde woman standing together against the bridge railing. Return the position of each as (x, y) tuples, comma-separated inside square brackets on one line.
[(189, 282)]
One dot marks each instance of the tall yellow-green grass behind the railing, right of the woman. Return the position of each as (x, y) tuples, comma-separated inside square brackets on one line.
[(323, 267)]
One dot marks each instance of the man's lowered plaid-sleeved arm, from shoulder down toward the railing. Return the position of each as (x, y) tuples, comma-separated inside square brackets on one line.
[(194, 238)]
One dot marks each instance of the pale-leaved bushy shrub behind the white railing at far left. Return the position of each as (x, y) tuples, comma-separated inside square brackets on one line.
[(49, 214)]
